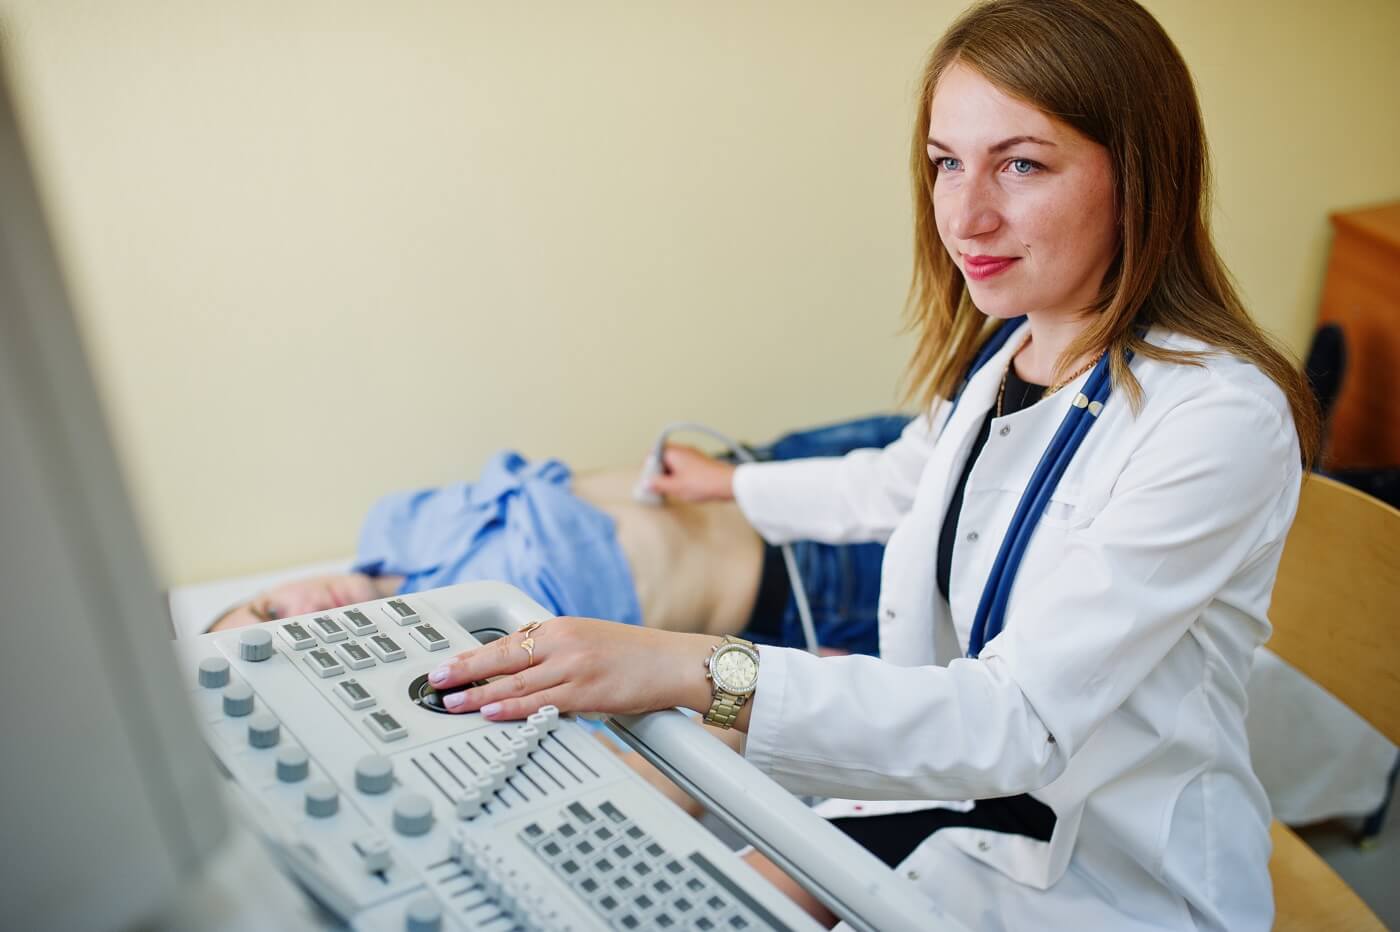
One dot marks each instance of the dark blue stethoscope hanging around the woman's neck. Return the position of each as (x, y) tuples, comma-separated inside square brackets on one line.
[(1084, 414)]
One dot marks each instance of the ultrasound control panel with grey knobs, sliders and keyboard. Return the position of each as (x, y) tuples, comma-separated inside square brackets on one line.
[(401, 817)]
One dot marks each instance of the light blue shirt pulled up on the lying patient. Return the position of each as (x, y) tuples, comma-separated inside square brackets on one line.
[(519, 524)]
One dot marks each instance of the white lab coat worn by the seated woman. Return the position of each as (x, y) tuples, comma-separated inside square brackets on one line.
[(1116, 692)]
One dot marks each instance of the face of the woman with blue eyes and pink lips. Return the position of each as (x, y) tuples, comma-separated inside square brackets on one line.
[(1024, 204)]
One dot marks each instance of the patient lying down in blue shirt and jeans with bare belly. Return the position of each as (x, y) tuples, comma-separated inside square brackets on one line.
[(584, 546)]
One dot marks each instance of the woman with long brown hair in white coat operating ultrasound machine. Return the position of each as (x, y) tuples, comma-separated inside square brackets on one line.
[(1083, 534)]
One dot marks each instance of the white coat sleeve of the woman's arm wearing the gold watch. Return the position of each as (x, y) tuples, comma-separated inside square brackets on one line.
[(1198, 500)]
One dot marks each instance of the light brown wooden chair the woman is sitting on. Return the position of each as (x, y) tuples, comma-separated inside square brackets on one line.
[(1336, 616)]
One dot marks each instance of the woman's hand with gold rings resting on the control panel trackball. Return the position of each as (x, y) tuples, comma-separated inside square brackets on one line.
[(579, 665)]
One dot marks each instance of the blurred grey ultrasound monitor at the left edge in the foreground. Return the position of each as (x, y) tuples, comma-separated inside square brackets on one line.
[(108, 800)]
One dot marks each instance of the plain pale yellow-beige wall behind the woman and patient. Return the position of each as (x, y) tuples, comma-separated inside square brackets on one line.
[(325, 250)]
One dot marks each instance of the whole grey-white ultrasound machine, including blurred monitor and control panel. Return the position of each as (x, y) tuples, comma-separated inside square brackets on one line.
[(300, 773)]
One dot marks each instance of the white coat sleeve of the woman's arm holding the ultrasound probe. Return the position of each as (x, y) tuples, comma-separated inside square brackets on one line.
[(849, 499)]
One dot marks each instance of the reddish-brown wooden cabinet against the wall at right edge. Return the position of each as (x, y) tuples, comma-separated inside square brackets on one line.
[(1363, 295)]
